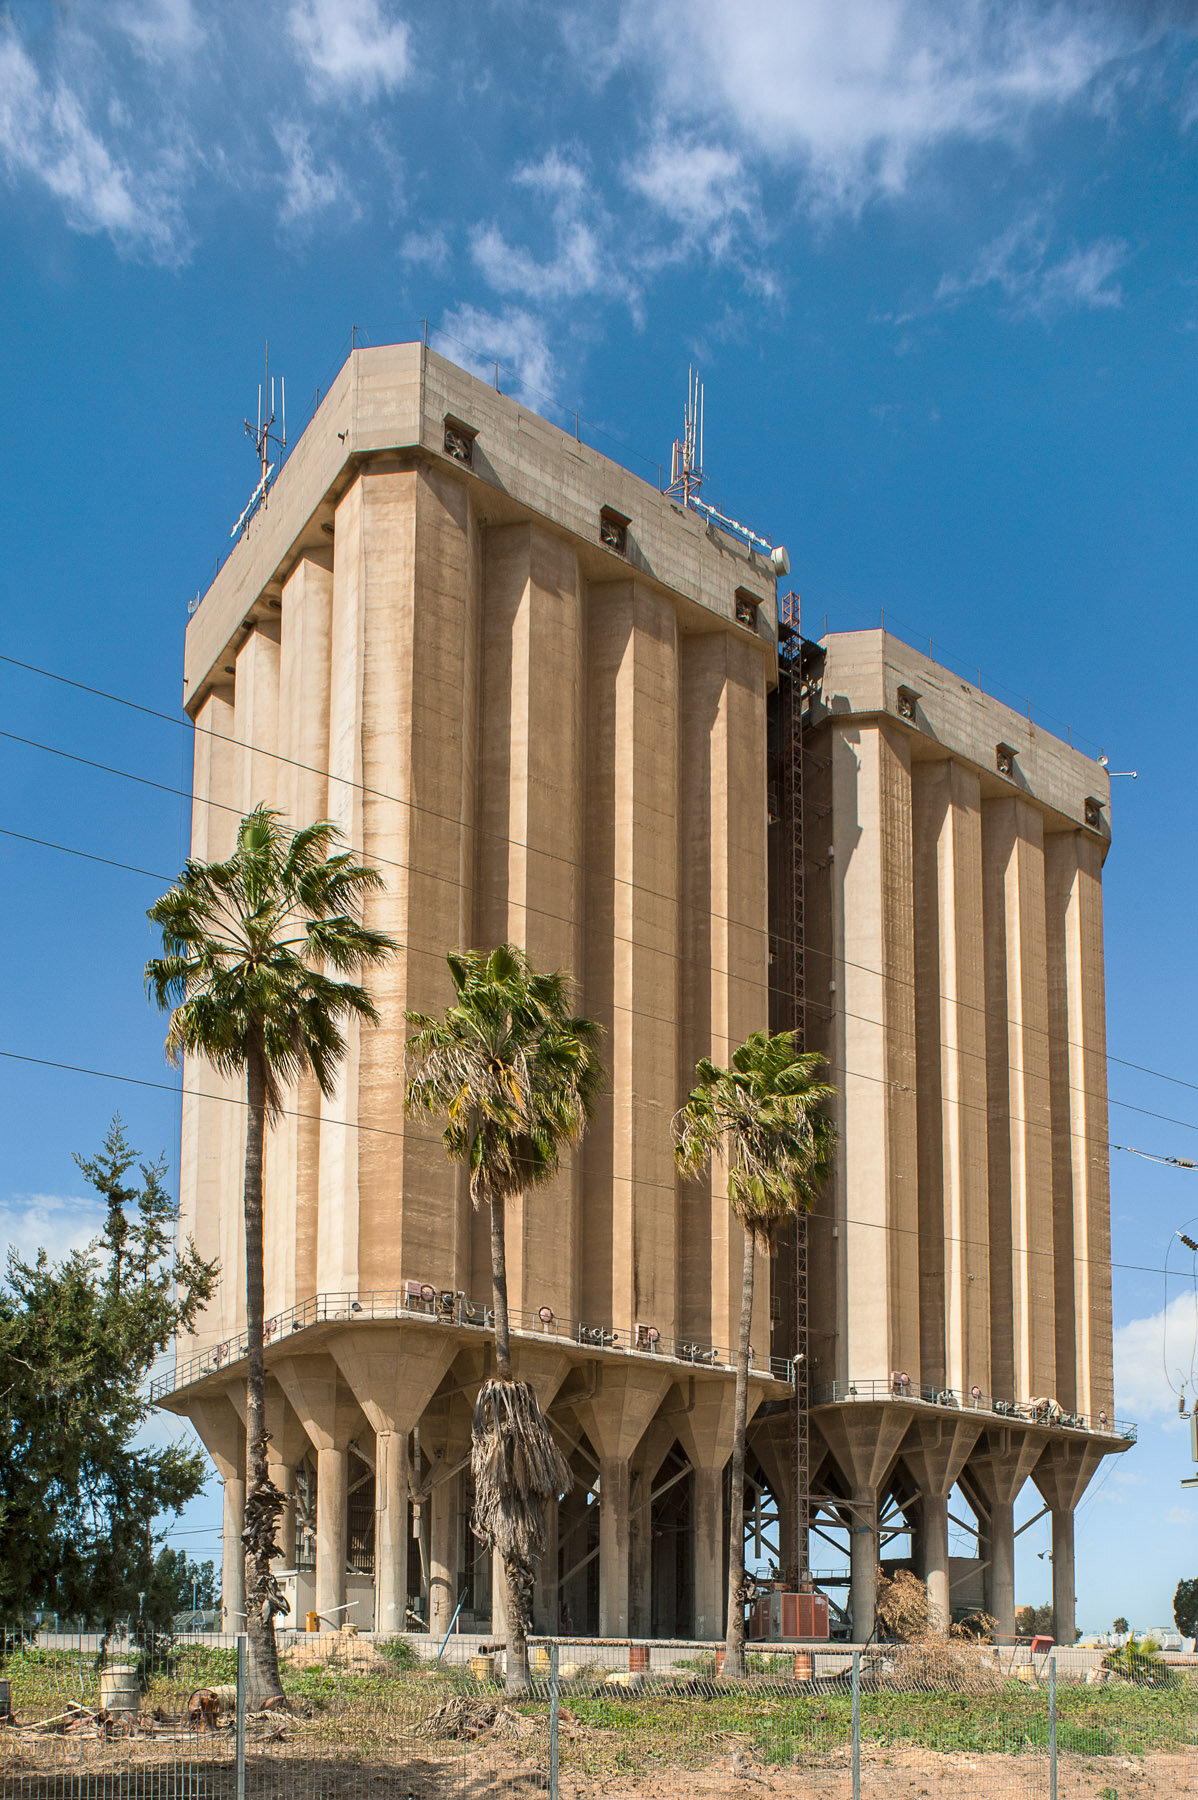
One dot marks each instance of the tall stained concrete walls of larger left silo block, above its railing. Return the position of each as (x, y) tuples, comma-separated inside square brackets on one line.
[(533, 739)]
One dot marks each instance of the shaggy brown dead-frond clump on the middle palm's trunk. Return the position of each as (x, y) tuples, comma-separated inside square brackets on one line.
[(515, 1468)]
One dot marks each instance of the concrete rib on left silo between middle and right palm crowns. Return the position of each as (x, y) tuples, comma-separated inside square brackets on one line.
[(632, 958)]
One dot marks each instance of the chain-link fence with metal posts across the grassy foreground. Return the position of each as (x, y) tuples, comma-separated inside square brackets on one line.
[(603, 1720)]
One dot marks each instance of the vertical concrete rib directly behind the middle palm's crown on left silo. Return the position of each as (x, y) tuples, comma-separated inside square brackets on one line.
[(530, 840)]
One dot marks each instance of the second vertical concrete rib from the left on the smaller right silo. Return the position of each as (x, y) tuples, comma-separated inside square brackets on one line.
[(951, 1057)]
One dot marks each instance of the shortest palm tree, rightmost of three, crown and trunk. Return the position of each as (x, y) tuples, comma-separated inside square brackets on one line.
[(765, 1120)]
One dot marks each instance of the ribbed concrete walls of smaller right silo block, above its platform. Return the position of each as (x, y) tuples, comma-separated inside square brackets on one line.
[(956, 973)]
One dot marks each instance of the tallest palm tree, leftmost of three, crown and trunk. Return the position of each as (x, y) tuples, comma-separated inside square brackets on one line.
[(253, 951)]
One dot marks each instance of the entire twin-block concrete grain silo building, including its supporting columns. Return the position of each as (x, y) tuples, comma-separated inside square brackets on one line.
[(546, 701)]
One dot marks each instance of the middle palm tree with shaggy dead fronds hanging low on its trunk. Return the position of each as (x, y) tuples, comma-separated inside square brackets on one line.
[(517, 1079)]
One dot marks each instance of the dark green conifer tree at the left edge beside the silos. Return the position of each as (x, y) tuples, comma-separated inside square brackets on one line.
[(80, 1495)]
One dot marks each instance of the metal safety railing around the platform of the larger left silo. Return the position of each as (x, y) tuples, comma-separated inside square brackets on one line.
[(422, 1302)]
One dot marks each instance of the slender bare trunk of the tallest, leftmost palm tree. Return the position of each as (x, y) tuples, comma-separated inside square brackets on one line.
[(262, 1502)]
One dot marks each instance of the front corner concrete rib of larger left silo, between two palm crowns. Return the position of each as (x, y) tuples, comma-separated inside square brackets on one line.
[(418, 732)]
